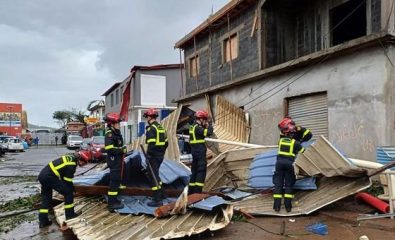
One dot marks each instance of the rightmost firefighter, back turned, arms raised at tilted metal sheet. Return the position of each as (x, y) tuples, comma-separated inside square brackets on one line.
[(284, 177)]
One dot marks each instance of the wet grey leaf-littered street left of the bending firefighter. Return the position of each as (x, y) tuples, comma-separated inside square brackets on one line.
[(18, 186)]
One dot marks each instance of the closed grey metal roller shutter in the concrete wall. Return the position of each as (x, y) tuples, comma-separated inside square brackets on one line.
[(310, 112)]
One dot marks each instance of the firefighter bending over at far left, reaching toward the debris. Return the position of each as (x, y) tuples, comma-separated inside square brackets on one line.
[(58, 175)]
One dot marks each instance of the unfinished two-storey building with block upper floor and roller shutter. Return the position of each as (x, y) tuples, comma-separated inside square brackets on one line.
[(328, 64)]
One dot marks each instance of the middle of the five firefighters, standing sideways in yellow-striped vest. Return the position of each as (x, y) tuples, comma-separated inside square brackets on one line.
[(156, 138)]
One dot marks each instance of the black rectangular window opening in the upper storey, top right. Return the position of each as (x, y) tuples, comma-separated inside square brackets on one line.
[(348, 21)]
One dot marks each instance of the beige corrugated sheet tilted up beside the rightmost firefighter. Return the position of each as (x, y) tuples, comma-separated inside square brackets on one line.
[(323, 158)]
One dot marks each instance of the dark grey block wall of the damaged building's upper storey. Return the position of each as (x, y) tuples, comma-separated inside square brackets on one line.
[(289, 29)]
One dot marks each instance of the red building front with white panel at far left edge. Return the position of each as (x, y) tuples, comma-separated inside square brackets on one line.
[(11, 119)]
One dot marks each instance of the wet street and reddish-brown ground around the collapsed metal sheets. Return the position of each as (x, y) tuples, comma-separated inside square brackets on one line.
[(19, 187)]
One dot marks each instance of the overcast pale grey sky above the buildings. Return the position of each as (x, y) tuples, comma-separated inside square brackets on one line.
[(62, 54)]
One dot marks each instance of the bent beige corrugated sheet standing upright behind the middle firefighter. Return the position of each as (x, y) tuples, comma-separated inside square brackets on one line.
[(170, 124)]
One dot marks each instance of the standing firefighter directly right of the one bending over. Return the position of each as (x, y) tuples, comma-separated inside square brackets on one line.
[(115, 150)]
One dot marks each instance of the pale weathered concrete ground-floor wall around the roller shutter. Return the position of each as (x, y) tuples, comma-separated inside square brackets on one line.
[(360, 89)]
